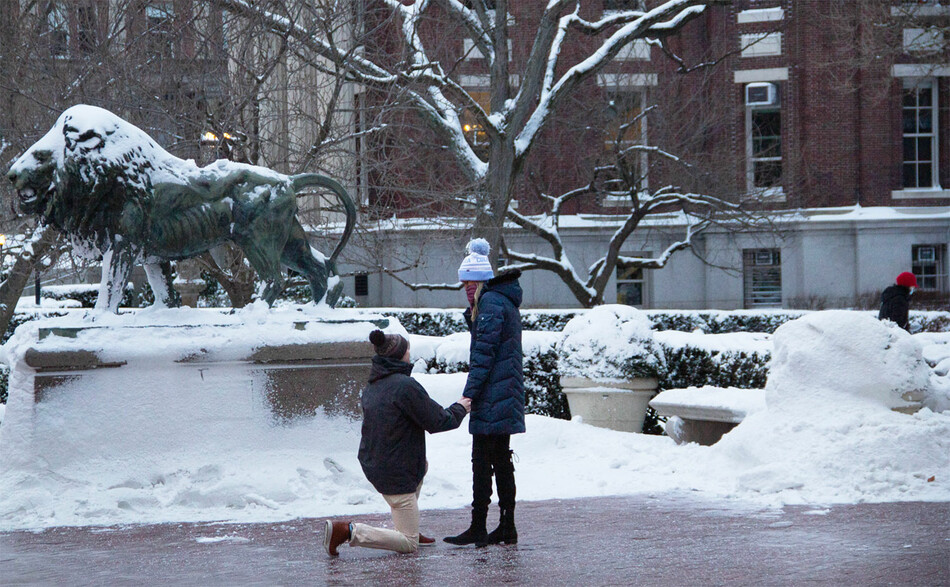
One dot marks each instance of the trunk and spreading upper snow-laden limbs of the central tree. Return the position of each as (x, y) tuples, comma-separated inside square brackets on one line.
[(516, 116)]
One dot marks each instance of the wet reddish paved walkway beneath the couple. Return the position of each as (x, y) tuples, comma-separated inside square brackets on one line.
[(638, 540)]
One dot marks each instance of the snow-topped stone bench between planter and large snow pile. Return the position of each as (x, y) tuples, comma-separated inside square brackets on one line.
[(704, 414)]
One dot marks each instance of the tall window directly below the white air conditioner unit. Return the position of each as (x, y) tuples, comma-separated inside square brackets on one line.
[(764, 148)]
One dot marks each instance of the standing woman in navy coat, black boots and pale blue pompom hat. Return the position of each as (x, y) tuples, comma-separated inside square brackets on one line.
[(496, 387)]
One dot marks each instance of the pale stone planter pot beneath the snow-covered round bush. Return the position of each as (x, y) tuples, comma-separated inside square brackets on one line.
[(617, 405)]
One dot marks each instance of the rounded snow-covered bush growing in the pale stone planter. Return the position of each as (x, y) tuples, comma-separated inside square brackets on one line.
[(610, 342)]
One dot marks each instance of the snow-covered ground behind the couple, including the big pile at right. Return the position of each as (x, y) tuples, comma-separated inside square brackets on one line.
[(828, 435)]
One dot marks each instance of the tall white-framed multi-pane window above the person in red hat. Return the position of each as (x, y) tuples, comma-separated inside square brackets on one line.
[(920, 134)]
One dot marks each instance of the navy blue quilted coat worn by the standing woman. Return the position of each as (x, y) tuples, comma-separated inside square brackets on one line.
[(496, 372)]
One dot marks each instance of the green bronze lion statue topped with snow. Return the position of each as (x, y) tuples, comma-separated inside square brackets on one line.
[(108, 186)]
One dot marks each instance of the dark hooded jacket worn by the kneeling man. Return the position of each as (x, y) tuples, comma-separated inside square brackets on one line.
[(397, 412)]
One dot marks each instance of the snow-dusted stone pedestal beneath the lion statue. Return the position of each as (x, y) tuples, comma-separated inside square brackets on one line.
[(292, 380)]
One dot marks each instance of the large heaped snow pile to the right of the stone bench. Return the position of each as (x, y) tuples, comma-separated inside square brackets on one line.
[(828, 432)]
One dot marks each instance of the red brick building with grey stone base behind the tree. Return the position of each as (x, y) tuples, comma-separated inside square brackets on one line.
[(835, 114)]
